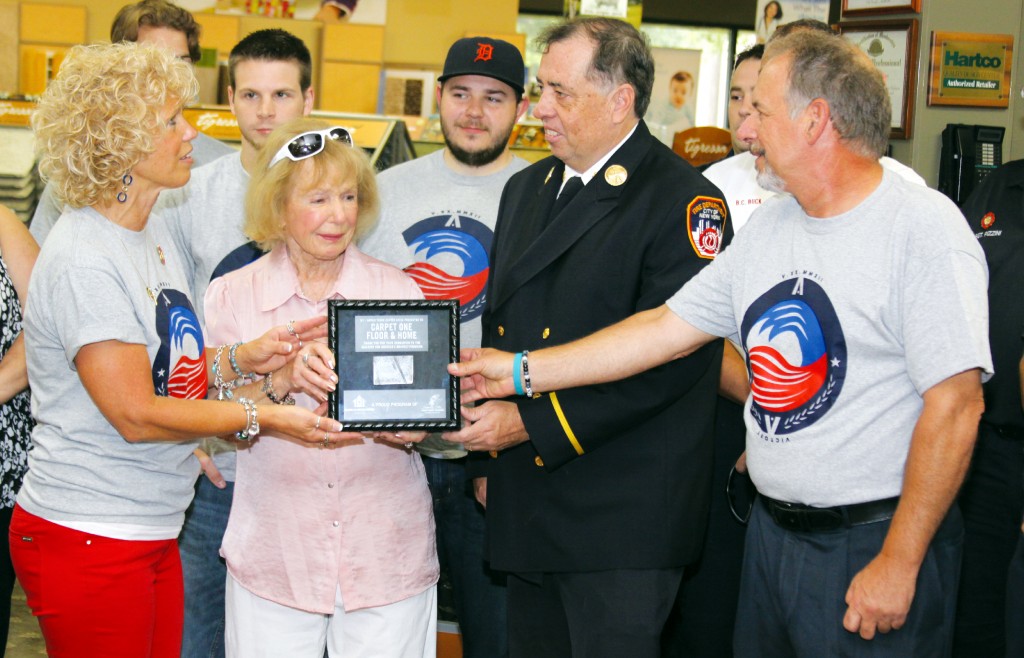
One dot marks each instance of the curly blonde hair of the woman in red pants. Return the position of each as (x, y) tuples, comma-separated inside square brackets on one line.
[(100, 117)]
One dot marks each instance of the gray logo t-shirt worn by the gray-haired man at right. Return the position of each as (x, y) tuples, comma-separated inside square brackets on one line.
[(846, 323)]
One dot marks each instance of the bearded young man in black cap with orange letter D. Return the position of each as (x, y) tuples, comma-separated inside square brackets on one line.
[(438, 218)]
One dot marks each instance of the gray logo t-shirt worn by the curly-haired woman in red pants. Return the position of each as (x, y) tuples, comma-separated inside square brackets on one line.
[(98, 282)]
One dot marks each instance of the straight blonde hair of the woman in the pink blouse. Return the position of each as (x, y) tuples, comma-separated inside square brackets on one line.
[(270, 189)]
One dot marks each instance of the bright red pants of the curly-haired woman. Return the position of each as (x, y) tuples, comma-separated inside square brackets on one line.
[(97, 597)]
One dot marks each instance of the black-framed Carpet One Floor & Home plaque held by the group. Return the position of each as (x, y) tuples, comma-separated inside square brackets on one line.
[(392, 361)]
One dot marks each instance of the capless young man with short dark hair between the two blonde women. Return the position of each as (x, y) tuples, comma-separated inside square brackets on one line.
[(270, 77)]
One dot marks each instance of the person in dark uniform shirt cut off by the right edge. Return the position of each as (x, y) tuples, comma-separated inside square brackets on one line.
[(992, 499)]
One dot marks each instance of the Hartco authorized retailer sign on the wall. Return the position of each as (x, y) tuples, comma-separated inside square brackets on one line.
[(970, 70)]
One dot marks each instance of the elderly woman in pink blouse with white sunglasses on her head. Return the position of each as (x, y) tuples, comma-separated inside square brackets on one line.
[(329, 547)]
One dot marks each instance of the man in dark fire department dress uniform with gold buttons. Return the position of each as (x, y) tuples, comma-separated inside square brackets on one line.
[(598, 497)]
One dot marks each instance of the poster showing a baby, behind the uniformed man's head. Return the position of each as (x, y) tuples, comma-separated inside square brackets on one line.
[(674, 99)]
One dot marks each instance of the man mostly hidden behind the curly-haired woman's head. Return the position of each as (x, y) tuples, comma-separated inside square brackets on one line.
[(160, 24)]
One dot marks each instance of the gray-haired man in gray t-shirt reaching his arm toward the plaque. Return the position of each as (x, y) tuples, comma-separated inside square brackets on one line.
[(861, 304)]
